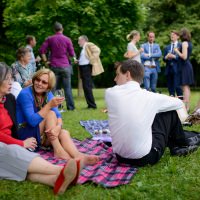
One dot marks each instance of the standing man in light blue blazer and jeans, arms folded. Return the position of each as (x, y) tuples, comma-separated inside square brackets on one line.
[(150, 59)]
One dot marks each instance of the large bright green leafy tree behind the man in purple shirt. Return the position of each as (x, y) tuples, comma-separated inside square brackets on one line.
[(105, 22)]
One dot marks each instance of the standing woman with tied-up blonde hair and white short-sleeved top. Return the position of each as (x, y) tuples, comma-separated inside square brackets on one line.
[(132, 51)]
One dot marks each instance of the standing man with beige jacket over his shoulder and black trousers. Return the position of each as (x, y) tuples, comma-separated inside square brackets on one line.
[(89, 58)]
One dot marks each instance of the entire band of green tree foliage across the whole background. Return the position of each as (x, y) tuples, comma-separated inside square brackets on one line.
[(105, 22)]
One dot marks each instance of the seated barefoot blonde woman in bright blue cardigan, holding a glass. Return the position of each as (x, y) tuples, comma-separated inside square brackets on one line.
[(38, 116)]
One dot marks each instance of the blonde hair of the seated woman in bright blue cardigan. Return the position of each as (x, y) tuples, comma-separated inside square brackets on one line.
[(51, 75)]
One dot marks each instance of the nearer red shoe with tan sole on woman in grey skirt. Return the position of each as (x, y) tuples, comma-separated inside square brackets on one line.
[(67, 175)]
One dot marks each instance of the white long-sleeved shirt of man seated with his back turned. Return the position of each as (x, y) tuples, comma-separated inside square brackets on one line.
[(131, 112)]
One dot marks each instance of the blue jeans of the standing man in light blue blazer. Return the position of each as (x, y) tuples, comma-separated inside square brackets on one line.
[(150, 78)]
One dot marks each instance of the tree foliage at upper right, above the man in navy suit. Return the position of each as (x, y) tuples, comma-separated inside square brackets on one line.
[(167, 15)]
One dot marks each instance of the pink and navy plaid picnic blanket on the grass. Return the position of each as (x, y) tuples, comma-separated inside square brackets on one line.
[(108, 172)]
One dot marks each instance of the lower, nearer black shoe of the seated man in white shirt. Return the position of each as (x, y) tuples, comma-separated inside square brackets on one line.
[(182, 151)]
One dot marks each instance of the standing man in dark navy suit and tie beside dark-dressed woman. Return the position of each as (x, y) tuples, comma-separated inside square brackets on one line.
[(173, 71)]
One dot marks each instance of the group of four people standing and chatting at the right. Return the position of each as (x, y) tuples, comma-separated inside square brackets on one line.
[(179, 71)]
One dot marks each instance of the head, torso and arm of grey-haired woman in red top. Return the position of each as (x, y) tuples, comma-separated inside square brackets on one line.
[(8, 126)]
